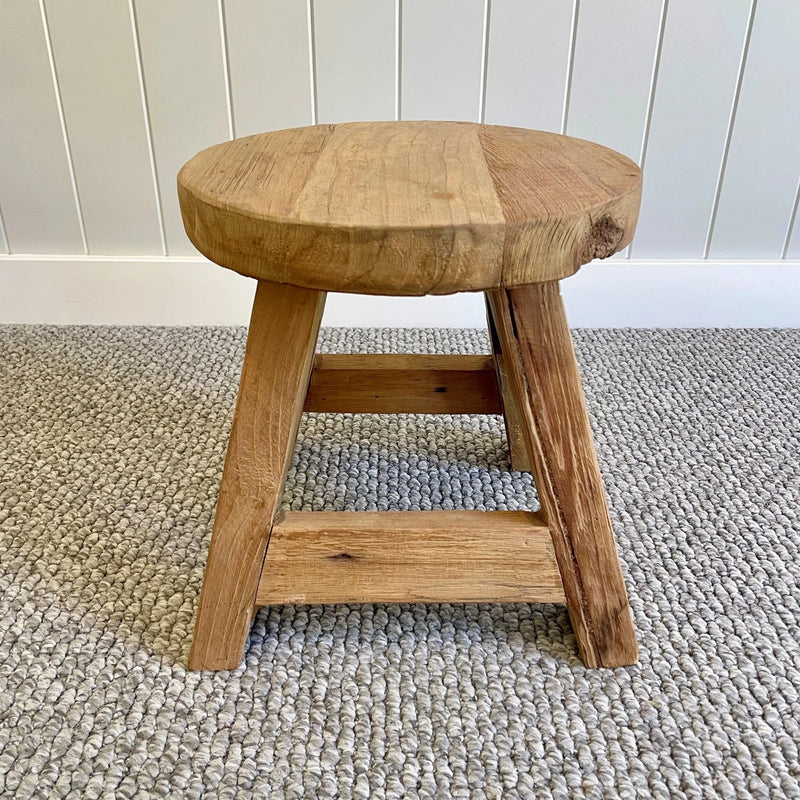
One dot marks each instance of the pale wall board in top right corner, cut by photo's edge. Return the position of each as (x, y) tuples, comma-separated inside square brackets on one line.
[(760, 180)]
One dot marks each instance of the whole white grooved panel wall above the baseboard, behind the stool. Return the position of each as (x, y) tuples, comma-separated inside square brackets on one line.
[(108, 99)]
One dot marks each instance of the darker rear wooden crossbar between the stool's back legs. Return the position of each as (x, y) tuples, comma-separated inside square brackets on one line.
[(403, 384)]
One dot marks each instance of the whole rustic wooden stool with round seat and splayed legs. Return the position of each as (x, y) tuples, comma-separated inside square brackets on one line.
[(411, 208)]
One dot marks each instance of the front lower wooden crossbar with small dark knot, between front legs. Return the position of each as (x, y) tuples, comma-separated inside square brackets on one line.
[(409, 557)]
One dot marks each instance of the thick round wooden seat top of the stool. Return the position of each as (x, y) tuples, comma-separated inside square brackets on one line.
[(408, 208)]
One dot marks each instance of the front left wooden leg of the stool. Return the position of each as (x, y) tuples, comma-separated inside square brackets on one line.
[(277, 366)]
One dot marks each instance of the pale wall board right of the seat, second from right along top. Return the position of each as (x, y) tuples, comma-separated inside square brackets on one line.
[(697, 80)]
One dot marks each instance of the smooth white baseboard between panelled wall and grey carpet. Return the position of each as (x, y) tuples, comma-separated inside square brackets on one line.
[(149, 290)]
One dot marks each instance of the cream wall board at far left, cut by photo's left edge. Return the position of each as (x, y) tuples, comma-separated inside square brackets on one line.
[(38, 202)]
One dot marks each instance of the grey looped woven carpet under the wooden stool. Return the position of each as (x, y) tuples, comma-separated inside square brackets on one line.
[(111, 449)]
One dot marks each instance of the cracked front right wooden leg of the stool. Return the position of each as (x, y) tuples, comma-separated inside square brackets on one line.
[(543, 375)]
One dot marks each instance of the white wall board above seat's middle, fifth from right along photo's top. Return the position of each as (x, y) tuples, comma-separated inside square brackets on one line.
[(442, 55)]
